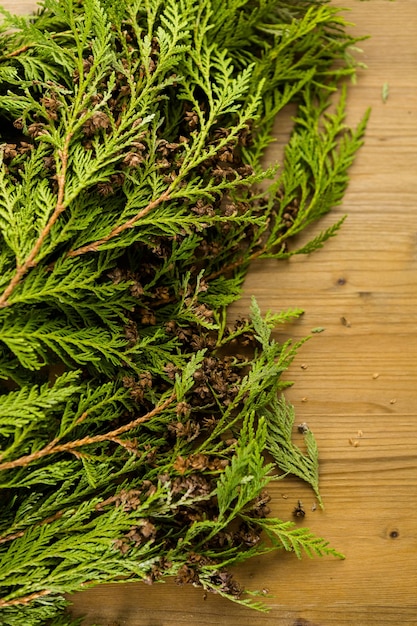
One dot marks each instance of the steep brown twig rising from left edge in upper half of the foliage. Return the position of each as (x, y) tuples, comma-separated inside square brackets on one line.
[(60, 207)]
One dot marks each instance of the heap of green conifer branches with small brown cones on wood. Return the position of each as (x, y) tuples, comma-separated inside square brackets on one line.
[(133, 416)]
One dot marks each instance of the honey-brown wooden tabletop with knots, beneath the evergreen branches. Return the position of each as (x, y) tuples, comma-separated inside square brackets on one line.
[(355, 383)]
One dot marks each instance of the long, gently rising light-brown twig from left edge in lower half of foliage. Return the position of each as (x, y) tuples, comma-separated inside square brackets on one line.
[(53, 448)]
